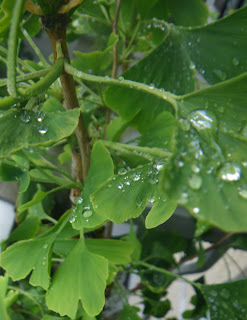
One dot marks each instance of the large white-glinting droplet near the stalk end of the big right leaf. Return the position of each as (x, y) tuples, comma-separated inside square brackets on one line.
[(204, 122)]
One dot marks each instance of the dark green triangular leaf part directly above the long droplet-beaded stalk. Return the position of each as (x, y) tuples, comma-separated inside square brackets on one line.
[(168, 66)]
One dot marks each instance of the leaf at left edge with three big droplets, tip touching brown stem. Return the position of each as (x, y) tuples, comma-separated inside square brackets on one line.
[(23, 128)]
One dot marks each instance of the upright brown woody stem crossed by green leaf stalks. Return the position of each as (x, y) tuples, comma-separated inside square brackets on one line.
[(56, 27)]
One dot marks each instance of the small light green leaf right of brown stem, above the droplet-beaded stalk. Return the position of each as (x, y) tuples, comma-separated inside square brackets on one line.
[(96, 60)]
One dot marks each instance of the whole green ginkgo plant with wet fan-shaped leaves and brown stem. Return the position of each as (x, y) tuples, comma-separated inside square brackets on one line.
[(181, 83)]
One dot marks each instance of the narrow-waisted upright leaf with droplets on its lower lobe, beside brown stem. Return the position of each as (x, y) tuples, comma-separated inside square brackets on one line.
[(101, 169)]
